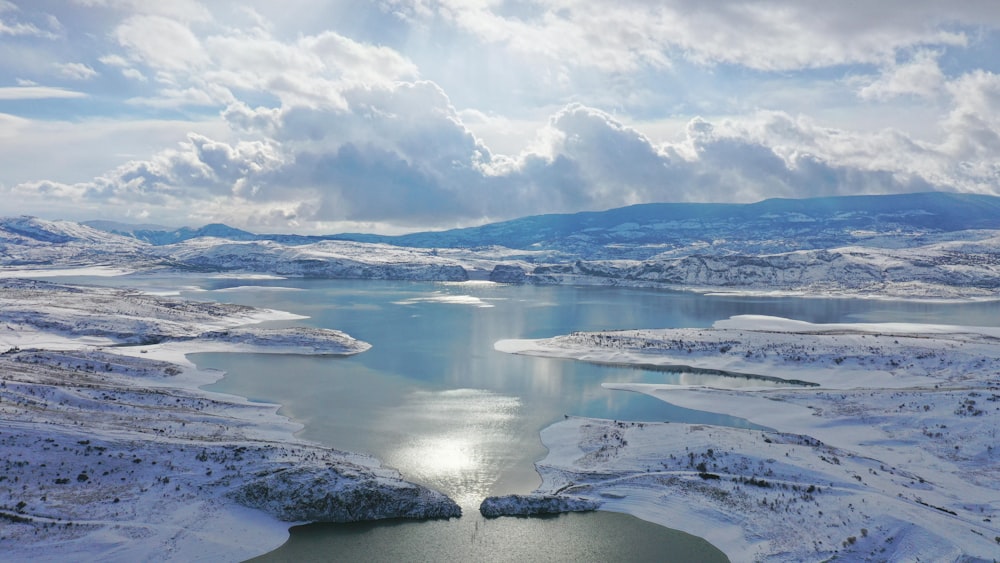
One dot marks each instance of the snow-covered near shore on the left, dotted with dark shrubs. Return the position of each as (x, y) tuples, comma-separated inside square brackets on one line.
[(111, 452)]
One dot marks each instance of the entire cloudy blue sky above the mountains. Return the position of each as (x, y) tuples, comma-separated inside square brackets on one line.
[(393, 116)]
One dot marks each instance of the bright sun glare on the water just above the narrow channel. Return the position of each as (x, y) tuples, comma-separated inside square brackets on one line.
[(455, 441)]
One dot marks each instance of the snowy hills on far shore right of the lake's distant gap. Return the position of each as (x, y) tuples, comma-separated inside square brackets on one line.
[(958, 268)]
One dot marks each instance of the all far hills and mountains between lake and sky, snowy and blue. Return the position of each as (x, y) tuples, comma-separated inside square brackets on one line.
[(911, 245)]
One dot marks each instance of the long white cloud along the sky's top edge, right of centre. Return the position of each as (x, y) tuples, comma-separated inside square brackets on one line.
[(765, 35)]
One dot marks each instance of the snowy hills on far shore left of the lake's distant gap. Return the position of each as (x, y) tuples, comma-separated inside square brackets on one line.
[(30, 245)]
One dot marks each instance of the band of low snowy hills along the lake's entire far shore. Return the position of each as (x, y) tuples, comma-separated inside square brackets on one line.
[(954, 265)]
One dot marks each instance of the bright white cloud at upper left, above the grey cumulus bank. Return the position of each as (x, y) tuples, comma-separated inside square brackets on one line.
[(204, 69)]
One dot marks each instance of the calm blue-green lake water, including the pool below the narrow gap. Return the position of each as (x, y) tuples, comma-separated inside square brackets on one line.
[(434, 400)]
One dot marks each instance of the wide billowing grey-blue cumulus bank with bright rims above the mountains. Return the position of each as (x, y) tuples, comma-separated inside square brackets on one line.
[(401, 155)]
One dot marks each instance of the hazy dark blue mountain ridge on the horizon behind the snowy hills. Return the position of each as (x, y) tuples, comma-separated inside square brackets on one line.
[(647, 230)]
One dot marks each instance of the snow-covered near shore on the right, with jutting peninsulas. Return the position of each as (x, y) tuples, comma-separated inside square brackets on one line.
[(892, 456)]
